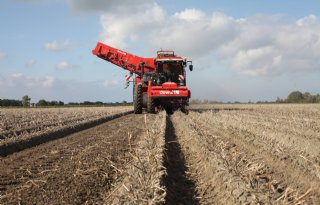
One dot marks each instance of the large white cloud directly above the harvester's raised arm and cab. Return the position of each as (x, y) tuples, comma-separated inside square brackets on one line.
[(190, 32)]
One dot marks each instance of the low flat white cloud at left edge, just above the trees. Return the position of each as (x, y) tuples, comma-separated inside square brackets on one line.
[(19, 80)]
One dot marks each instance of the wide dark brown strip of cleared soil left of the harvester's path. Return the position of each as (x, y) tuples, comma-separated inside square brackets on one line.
[(76, 169)]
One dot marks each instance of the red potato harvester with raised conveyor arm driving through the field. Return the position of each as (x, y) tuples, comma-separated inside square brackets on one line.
[(159, 83)]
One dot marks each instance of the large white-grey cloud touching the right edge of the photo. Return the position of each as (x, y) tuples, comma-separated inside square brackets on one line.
[(265, 47)]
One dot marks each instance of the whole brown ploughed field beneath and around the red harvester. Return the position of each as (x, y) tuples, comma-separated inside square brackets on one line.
[(218, 154)]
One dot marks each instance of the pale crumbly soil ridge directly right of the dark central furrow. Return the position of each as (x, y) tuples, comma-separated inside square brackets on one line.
[(210, 167)]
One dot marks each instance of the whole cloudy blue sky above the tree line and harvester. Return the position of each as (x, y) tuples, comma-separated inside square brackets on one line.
[(242, 50)]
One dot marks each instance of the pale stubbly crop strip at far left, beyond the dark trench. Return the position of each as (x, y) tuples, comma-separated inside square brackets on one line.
[(18, 124)]
